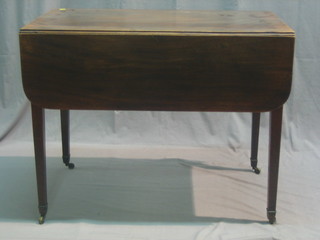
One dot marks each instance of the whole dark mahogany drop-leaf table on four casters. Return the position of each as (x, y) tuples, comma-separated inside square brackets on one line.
[(158, 60)]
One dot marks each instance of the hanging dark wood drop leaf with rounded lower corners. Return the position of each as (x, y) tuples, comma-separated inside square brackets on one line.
[(156, 72)]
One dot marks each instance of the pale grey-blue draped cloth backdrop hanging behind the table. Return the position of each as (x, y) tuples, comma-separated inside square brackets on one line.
[(301, 131)]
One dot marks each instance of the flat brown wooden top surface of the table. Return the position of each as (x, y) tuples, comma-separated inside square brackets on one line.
[(160, 21)]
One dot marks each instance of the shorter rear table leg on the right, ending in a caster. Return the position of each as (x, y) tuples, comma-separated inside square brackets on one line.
[(255, 142)]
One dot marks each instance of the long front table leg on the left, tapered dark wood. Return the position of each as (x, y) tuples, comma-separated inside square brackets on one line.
[(40, 158)]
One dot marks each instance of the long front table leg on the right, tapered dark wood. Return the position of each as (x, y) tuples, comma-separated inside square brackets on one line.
[(274, 155)]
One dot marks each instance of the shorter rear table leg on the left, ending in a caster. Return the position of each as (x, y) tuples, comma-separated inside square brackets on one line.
[(65, 135)]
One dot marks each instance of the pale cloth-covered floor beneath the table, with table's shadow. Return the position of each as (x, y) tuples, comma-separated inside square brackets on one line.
[(124, 192)]
